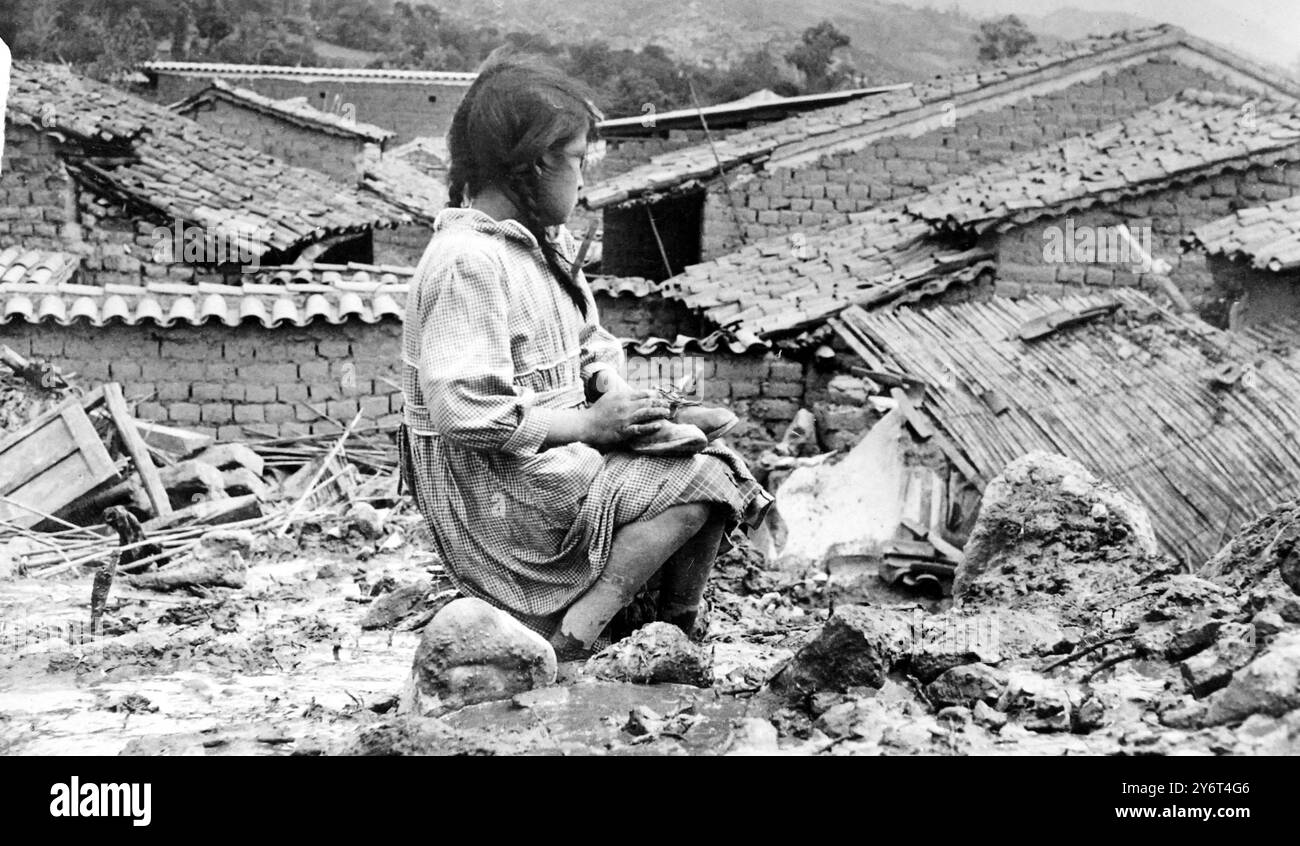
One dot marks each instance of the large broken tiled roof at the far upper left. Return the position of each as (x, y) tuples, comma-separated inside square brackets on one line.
[(148, 154)]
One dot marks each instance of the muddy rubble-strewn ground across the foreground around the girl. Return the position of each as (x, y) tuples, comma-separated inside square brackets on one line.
[(1102, 649)]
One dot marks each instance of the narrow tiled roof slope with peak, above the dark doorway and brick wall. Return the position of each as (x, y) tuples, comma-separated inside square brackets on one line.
[(864, 118)]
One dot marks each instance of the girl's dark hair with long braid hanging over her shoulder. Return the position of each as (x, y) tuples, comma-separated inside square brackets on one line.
[(518, 110)]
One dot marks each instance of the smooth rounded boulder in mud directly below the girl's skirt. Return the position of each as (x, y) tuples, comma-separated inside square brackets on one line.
[(473, 653)]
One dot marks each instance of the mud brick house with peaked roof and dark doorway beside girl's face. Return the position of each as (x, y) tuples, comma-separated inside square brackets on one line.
[(818, 170)]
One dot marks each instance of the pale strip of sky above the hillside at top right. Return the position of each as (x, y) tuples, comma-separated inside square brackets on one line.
[(1267, 29)]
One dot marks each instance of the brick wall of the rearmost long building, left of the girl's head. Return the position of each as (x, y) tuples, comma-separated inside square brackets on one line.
[(408, 109)]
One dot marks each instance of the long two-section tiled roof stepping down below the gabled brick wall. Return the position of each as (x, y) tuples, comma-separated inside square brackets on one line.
[(920, 245)]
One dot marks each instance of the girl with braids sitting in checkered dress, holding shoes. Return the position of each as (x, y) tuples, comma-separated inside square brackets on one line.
[(535, 497)]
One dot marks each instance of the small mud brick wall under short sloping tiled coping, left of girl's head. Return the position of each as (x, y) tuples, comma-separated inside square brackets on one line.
[(335, 155)]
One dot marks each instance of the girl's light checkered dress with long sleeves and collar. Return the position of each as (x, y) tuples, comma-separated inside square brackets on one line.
[(492, 345)]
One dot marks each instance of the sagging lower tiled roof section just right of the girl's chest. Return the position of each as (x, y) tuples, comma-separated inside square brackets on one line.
[(788, 283)]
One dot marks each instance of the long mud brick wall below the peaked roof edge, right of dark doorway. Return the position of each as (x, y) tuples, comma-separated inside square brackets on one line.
[(825, 193)]
